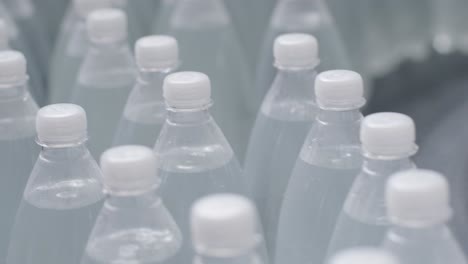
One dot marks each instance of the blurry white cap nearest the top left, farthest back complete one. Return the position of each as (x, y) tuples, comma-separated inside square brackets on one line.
[(107, 26)]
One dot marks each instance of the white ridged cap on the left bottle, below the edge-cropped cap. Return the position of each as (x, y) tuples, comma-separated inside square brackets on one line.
[(61, 124)]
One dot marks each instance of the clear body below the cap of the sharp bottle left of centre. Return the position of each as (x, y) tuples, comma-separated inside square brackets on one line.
[(195, 160)]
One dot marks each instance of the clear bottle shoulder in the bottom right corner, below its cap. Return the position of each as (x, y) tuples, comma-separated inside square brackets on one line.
[(432, 245)]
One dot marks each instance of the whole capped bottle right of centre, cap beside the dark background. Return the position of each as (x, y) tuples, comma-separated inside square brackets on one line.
[(325, 169)]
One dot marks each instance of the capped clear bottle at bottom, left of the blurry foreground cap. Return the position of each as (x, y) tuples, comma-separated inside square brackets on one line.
[(134, 225)]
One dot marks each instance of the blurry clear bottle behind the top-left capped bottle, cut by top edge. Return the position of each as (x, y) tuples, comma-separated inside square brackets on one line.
[(71, 48)]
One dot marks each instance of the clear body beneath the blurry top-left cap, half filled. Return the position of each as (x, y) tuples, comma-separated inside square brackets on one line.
[(103, 85)]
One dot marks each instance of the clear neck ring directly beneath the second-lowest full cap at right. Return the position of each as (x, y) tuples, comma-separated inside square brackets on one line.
[(387, 167)]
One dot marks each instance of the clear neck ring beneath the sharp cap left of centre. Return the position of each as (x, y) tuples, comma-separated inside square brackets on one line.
[(189, 116)]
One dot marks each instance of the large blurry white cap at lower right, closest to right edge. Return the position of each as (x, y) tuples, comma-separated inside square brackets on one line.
[(418, 198)]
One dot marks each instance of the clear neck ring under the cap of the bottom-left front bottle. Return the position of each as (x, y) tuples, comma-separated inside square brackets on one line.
[(140, 200)]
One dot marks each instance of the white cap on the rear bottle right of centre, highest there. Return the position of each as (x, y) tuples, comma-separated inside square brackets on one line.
[(296, 51)]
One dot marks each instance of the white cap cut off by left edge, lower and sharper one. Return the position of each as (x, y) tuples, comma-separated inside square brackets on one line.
[(12, 67)]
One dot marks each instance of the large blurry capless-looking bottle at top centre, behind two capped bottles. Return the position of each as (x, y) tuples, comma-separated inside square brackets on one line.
[(208, 43)]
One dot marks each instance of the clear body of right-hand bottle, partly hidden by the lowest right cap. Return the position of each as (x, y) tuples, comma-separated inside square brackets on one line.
[(363, 220)]
